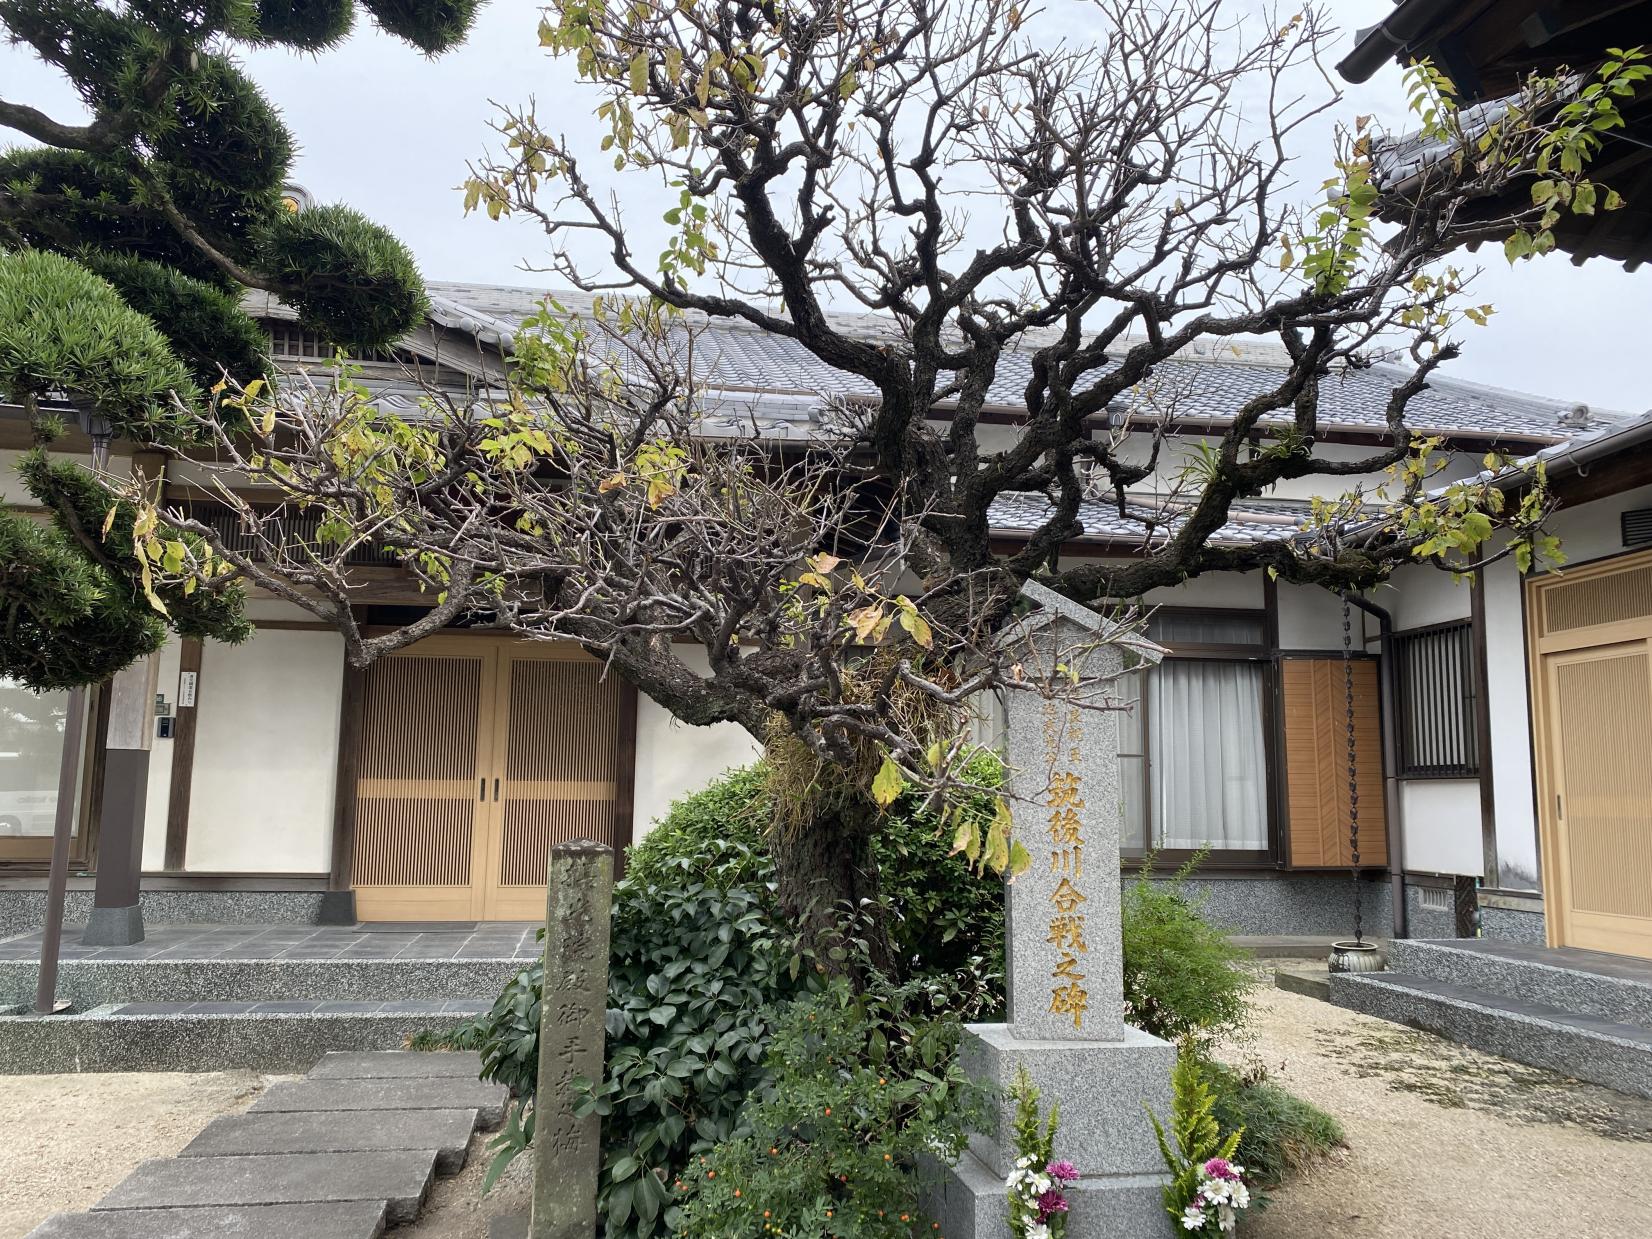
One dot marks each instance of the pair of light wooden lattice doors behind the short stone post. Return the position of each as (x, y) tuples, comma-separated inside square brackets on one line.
[(477, 754)]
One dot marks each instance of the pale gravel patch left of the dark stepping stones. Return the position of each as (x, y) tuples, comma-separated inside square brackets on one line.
[(67, 1141)]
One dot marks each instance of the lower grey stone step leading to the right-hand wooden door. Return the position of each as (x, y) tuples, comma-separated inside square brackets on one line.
[(1612, 1055)]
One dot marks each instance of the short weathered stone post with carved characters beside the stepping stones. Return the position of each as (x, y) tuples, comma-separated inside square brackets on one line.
[(567, 1151)]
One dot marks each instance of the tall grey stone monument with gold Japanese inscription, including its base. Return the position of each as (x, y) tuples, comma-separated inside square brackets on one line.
[(1066, 959)]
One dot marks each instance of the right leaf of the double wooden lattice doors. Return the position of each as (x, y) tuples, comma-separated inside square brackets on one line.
[(559, 724)]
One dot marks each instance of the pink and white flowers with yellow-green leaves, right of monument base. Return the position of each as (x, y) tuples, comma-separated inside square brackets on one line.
[(1207, 1190)]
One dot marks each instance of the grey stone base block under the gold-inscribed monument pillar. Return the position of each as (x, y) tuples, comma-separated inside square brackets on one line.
[(1104, 1091)]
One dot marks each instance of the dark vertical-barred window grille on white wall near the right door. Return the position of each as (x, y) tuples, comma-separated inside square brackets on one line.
[(1438, 703)]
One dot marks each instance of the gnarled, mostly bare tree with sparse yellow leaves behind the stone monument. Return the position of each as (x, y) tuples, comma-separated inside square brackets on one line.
[(1061, 217)]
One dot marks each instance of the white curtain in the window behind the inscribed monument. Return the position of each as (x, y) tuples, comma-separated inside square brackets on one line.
[(1207, 756)]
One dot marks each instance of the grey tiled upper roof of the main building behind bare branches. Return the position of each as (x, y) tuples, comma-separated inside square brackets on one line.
[(1208, 382)]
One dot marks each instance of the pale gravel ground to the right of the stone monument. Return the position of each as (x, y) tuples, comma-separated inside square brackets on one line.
[(1445, 1141)]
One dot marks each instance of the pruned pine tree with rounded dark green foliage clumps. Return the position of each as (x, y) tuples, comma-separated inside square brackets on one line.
[(126, 242)]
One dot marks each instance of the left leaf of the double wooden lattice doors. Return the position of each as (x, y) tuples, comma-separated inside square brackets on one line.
[(420, 810)]
